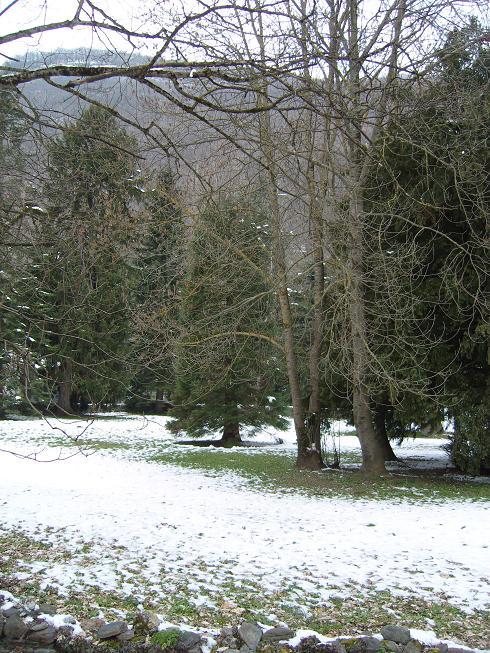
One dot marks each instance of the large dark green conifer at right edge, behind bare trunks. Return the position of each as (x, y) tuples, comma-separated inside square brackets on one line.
[(430, 193)]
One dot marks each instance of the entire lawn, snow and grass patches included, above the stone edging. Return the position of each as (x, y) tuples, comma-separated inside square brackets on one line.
[(202, 535)]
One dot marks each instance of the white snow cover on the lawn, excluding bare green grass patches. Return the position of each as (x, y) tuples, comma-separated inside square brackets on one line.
[(171, 525)]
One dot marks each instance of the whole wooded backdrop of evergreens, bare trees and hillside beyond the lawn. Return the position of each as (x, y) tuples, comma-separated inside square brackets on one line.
[(302, 245)]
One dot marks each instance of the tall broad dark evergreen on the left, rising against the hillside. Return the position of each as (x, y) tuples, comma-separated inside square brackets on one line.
[(82, 271)]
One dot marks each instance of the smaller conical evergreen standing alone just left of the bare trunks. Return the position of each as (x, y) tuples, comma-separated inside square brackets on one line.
[(228, 367)]
